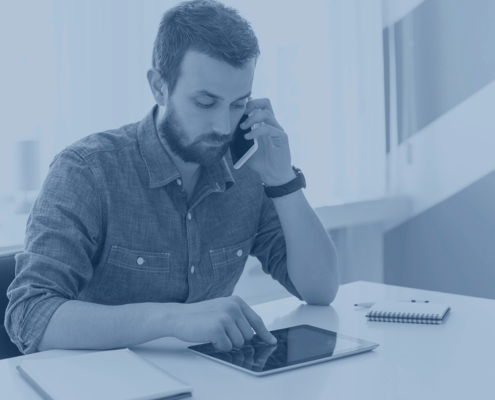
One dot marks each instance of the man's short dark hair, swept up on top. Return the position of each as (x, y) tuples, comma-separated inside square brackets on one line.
[(206, 26)]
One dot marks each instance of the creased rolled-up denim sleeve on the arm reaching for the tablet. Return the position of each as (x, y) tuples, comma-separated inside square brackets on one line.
[(62, 235)]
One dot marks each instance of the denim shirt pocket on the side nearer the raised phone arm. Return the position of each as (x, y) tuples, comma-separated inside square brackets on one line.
[(228, 264)]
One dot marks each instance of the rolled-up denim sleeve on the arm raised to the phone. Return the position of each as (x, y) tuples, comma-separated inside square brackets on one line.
[(269, 246)]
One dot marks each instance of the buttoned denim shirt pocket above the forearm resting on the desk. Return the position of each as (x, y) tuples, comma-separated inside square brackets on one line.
[(132, 276)]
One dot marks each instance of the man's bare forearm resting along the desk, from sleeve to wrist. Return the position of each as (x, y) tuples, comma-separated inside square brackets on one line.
[(81, 325)]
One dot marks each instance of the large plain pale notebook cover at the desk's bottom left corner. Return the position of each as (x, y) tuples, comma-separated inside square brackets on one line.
[(102, 375)]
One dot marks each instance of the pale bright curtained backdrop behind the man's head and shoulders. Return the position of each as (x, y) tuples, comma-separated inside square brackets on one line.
[(74, 67)]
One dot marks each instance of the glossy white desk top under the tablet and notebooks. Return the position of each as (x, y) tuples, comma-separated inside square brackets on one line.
[(449, 361)]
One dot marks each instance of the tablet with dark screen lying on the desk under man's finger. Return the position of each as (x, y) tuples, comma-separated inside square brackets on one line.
[(296, 347)]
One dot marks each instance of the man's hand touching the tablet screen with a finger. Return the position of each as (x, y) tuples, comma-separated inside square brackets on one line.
[(226, 322)]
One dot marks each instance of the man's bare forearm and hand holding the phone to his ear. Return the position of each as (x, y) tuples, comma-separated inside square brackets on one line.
[(311, 256)]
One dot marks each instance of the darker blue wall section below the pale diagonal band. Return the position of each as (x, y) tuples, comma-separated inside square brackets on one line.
[(449, 247)]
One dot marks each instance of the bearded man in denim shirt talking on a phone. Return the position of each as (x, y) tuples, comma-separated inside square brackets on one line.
[(143, 232)]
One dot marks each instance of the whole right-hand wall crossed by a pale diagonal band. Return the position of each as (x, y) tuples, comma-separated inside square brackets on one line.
[(442, 125)]
